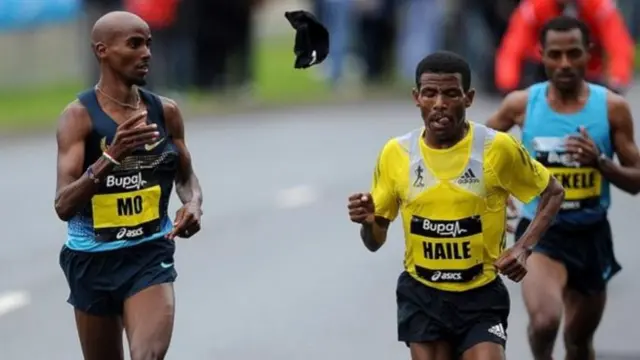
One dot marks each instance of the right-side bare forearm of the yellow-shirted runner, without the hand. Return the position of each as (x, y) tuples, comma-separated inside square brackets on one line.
[(550, 202)]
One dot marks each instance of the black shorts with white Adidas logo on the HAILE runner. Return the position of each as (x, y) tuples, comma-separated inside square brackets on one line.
[(464, 319)]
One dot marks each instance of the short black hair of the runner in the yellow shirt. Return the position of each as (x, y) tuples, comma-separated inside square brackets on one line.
[(445, 62)]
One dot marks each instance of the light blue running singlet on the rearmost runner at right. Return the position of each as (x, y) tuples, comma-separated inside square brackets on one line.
[(587, 192)]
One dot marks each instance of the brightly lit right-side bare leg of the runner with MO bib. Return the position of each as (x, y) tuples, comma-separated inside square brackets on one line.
[(148, 320)]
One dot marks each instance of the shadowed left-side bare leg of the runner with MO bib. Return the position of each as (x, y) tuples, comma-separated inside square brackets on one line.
[(100, 337)]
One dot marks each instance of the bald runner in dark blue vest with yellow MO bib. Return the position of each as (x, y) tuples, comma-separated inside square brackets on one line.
[(120, 151)]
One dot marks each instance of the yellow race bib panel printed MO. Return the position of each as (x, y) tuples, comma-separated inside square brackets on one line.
[(127, 215)]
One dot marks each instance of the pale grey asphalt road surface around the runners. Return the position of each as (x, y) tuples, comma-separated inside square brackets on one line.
[(278, 273)]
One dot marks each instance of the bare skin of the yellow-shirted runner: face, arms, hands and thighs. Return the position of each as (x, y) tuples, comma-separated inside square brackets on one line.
[(443, 101)]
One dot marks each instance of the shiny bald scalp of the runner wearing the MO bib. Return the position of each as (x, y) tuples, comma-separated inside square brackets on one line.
[(116, 23)]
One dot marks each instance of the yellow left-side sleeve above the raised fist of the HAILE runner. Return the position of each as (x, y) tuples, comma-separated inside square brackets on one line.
[(383, 188)]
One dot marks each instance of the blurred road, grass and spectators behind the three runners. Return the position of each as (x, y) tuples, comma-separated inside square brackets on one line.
[(278, 272)]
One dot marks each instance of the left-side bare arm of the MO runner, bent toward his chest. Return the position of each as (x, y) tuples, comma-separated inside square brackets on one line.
[(73, 189)]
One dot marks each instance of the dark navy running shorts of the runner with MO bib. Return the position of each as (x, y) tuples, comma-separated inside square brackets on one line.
[(100, 282)]
